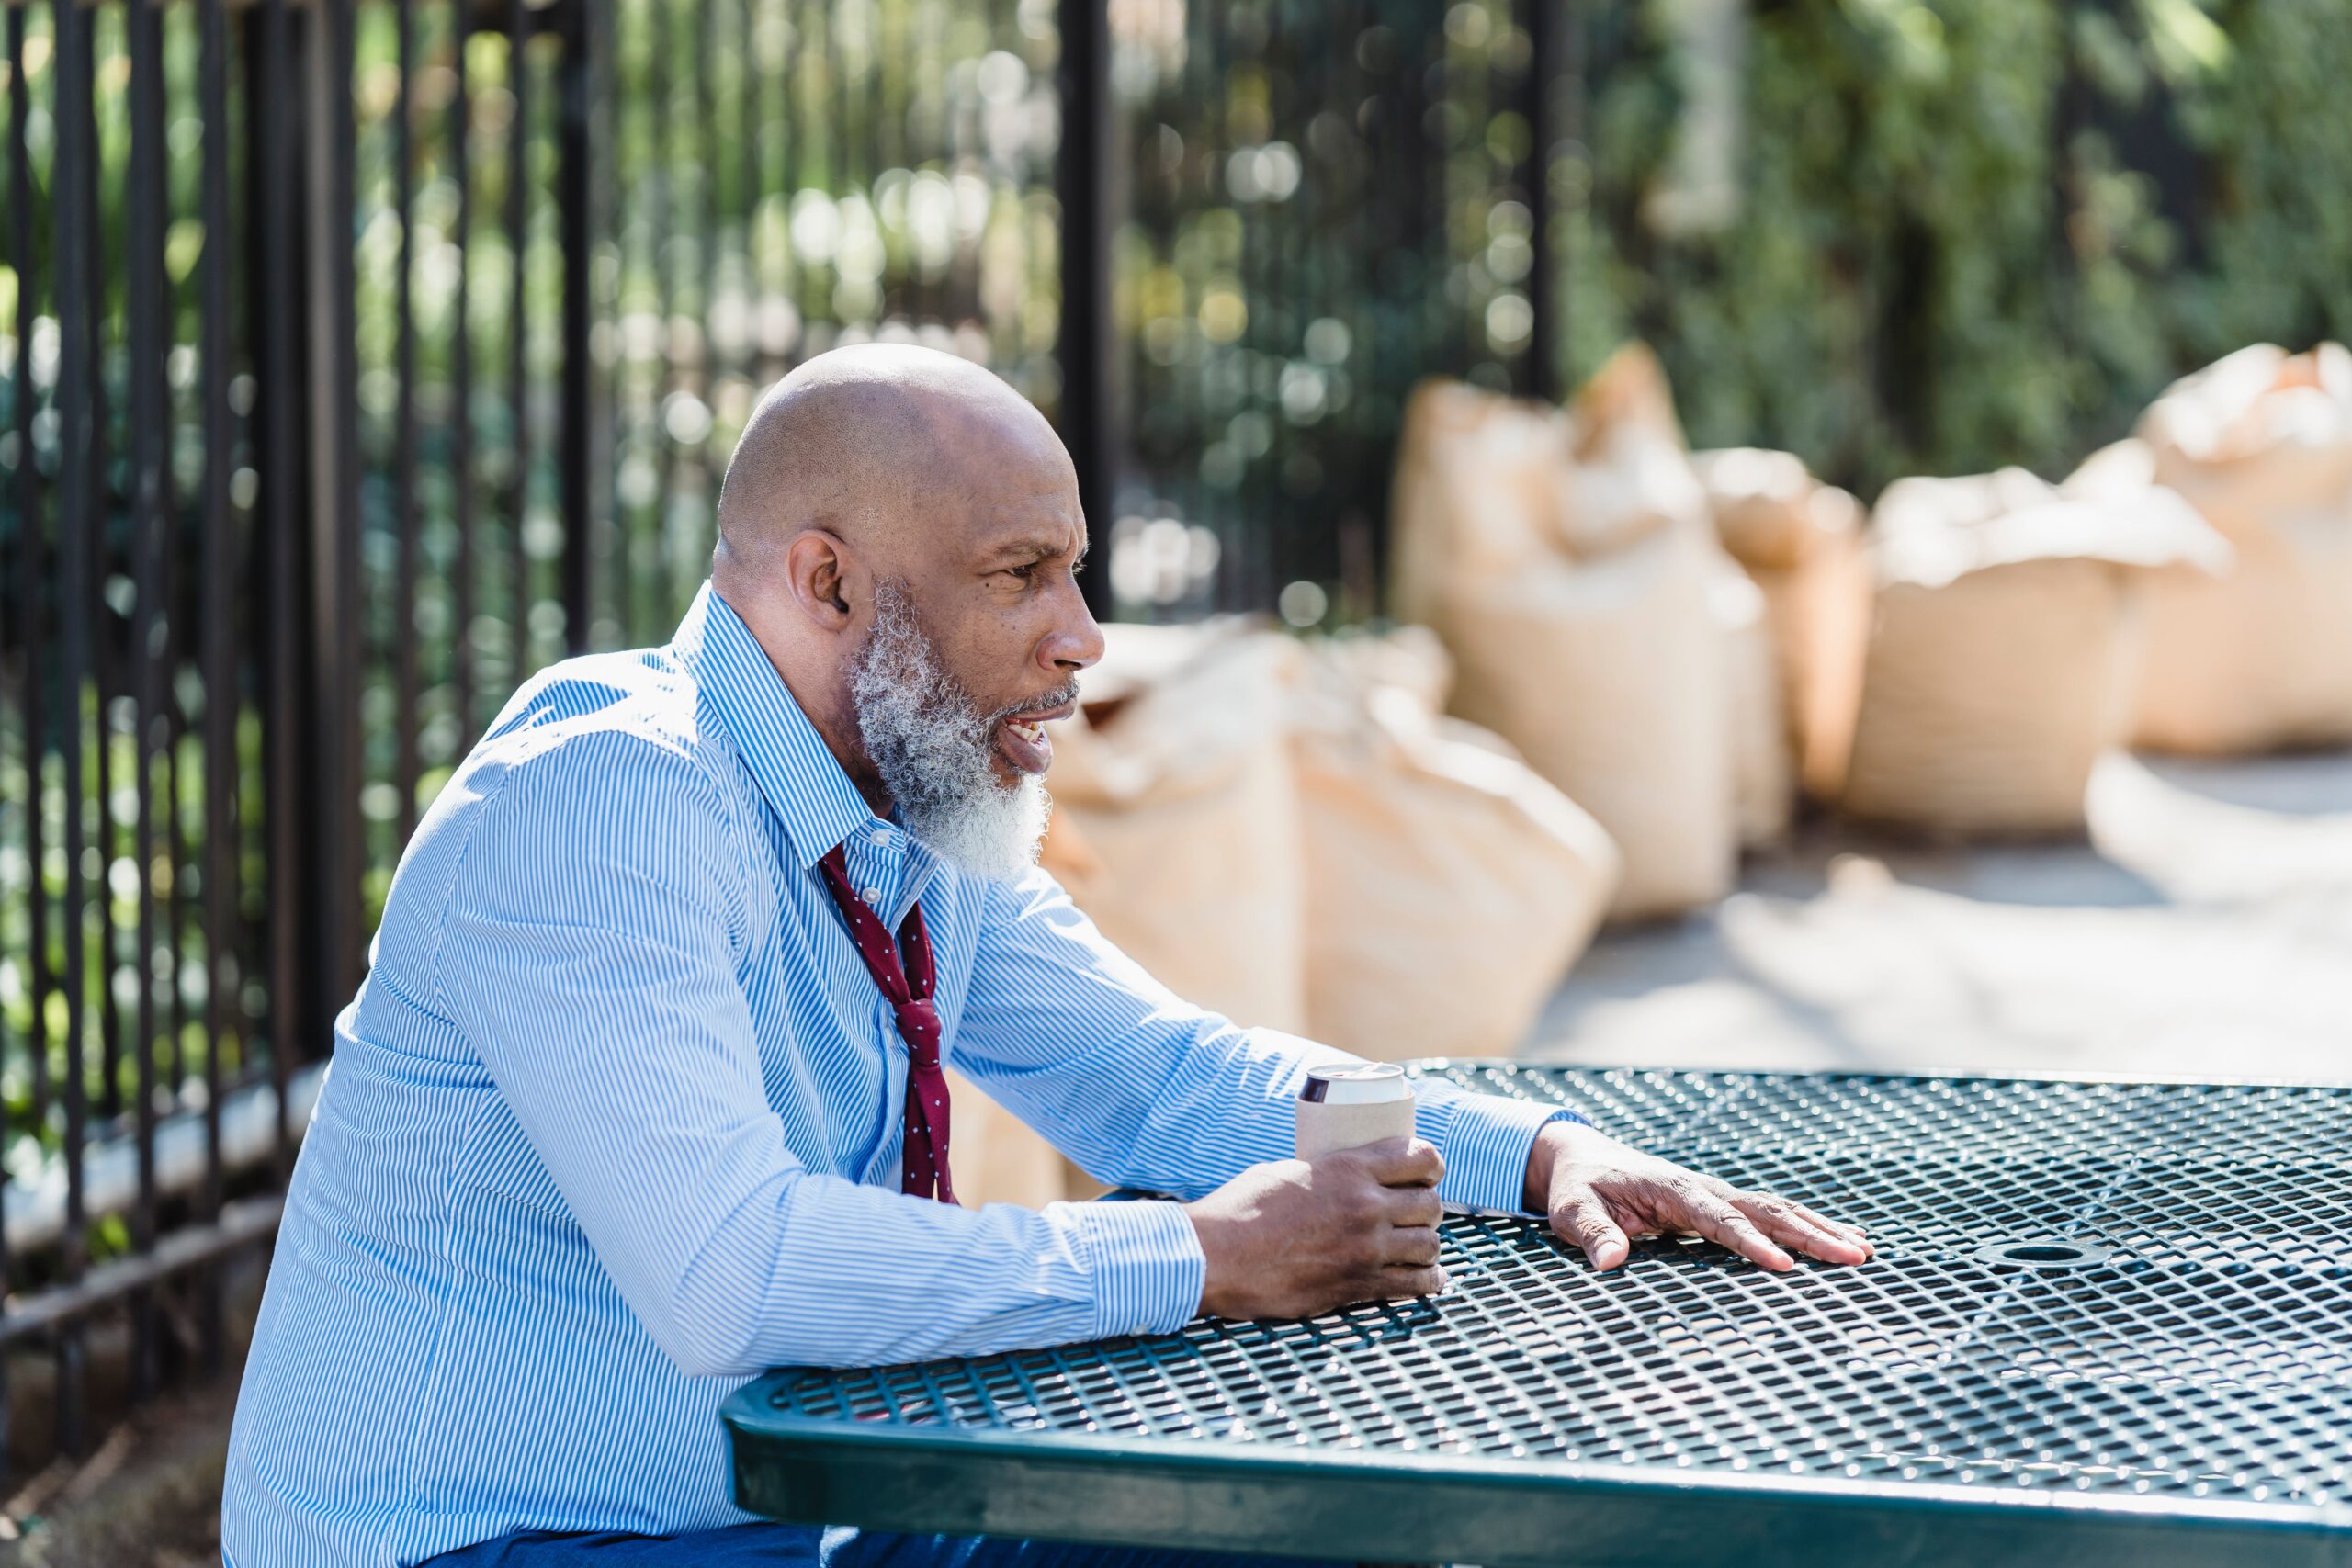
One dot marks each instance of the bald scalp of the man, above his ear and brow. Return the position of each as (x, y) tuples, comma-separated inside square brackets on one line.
[(883, 445)]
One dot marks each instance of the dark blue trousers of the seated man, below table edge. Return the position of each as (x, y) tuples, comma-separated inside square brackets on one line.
[(834, 1548)]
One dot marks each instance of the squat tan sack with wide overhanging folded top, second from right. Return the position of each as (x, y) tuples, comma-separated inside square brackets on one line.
[(2000, 655)]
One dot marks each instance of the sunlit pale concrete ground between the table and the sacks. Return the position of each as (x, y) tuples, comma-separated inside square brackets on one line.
[(2203, 930)]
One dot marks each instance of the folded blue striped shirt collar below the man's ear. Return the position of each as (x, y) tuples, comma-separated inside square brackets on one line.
[(796, 770)]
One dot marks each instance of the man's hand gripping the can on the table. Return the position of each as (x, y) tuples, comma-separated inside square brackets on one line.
[(1297, 1238)]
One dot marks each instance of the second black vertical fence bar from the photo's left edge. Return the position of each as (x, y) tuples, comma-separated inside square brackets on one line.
[(76, 509)]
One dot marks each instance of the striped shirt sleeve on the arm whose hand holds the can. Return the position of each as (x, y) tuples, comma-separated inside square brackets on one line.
[(589, 951)]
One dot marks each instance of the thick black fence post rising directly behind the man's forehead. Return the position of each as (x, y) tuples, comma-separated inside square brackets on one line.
[(1088, 340)]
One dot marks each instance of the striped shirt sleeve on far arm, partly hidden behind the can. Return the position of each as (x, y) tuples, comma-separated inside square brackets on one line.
[(1151, 1092)]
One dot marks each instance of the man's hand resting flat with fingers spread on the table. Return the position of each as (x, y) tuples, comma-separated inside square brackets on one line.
[(1601, 1193)]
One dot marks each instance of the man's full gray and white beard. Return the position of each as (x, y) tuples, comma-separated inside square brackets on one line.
[(935, 751)]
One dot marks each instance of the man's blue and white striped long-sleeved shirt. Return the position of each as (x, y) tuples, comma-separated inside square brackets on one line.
[(615, 1125)]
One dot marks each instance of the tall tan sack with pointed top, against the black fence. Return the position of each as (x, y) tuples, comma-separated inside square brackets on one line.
[(1584, 626)]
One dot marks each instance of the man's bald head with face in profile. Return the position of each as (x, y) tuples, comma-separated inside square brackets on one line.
[(902, 518)]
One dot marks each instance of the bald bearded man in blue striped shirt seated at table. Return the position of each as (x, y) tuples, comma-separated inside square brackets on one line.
[(643, 1092)]
